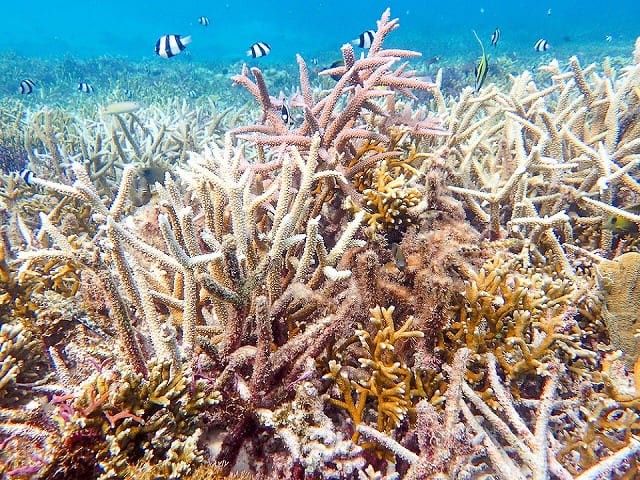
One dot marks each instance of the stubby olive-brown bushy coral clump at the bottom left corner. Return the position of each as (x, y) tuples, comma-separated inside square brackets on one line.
[(128, 419)]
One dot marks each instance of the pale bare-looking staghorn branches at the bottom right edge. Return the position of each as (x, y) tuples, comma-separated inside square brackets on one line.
[(514, 444)]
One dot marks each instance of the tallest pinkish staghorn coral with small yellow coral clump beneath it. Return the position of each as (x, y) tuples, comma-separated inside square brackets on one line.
[(338, 117)]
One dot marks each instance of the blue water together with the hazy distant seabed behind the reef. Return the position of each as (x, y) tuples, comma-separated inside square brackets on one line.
[(111, 45)]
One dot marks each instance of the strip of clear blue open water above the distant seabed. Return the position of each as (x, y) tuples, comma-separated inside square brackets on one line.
[(44, 28)]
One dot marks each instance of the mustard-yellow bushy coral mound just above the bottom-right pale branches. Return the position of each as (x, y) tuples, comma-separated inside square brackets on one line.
[(523, 313)]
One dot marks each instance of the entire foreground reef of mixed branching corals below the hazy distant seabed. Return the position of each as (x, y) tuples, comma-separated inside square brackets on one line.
[(389, 287)]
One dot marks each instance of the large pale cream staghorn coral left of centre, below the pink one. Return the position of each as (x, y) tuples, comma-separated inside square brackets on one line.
[(239, 262)]
